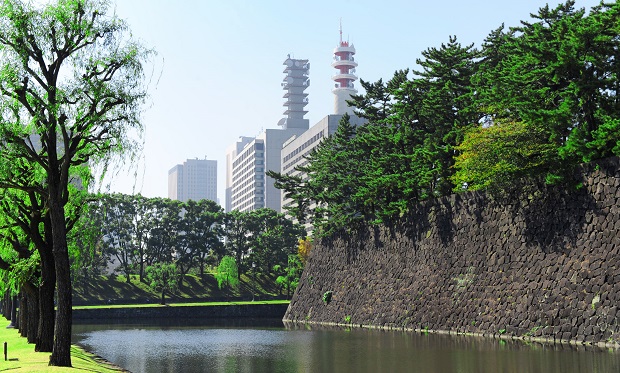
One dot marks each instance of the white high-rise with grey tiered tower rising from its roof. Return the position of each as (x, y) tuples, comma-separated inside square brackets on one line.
[(249, 159)]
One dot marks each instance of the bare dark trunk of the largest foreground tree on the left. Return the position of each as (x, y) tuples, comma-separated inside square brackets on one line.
[(61, 353)]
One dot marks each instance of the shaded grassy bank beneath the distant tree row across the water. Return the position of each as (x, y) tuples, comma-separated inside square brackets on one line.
[(117, 290)]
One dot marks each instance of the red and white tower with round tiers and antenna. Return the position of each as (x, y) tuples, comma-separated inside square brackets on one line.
[(345, 63)]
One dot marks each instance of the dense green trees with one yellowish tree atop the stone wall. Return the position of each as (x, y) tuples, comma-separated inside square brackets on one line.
[(533, 100)]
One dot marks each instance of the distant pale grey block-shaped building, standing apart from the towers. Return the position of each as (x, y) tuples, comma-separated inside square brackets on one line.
[(195, 179)]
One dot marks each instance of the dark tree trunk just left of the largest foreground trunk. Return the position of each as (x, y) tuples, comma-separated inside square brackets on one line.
[(45, 333)]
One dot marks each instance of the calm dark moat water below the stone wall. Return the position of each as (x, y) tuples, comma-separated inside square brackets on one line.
[(273, 348)]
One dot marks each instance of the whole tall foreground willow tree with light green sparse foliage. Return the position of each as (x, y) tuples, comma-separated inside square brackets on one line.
[(71, 88)]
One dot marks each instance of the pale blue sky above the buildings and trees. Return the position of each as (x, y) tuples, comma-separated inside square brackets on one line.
[(218, 68)]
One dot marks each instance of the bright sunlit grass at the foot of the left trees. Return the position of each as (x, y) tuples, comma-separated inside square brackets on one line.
[(21, 356)]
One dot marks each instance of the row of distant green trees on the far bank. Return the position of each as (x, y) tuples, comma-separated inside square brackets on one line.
[(132, 233)]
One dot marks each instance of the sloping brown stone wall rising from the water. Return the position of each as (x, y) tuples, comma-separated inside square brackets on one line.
[(538, 262)]
